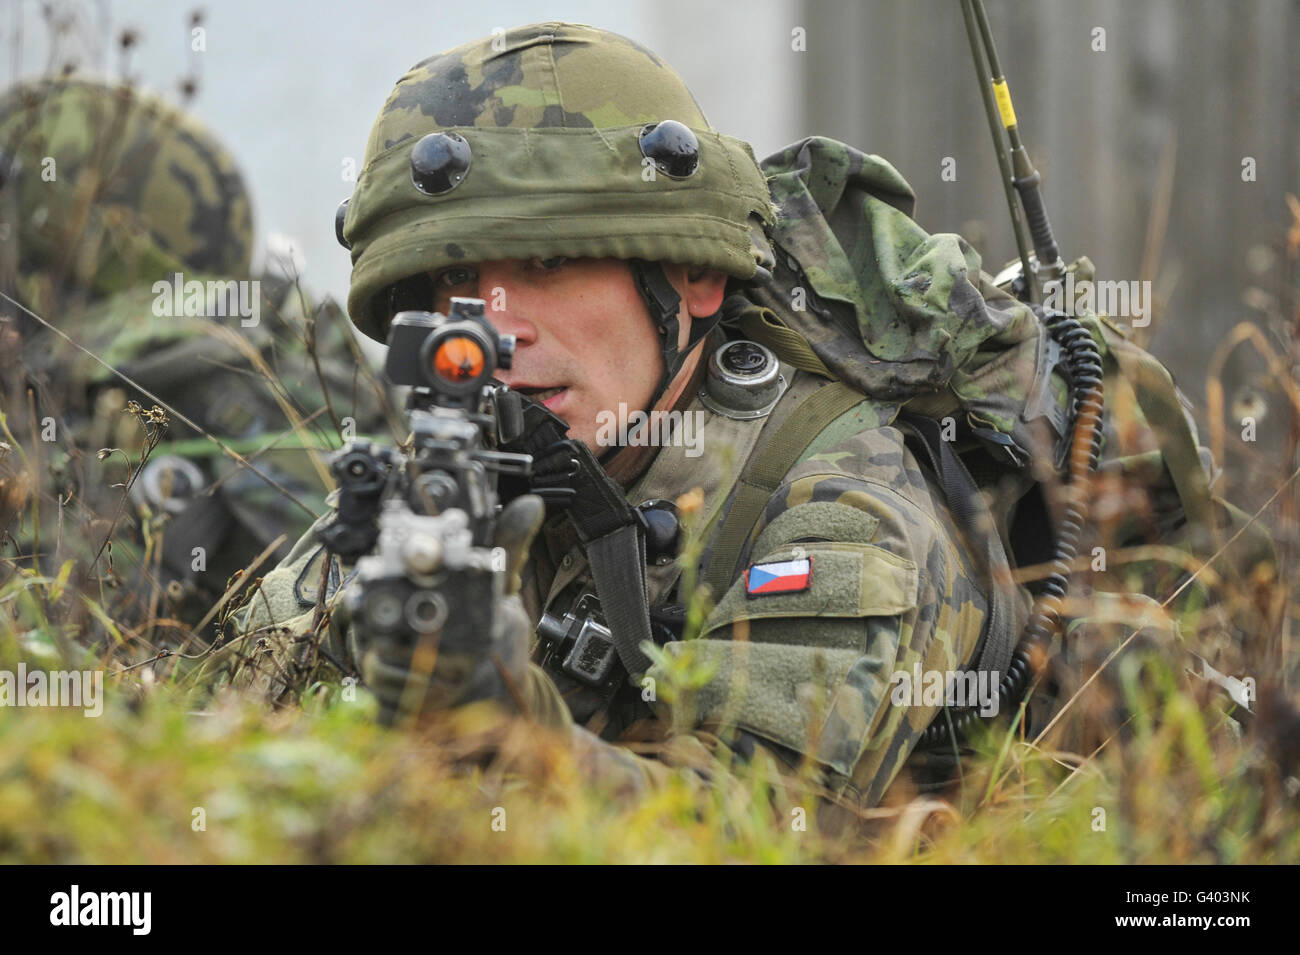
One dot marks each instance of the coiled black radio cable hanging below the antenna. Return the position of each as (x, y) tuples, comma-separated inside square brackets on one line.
[(1087, 406)]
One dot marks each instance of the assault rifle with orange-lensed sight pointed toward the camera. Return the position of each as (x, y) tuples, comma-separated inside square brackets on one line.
[(419, 526)]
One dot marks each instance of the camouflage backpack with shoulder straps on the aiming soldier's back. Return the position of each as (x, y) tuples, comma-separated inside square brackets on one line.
[(986, 388)]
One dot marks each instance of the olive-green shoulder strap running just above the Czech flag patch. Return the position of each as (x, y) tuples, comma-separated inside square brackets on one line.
[(765, 471)]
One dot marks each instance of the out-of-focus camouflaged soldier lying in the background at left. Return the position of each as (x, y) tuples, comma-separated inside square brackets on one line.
[(129, 228)]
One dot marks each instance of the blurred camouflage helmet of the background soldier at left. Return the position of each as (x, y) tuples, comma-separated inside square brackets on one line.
[(112, 188)]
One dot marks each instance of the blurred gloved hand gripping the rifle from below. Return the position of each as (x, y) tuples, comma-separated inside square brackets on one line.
[(452, 668)]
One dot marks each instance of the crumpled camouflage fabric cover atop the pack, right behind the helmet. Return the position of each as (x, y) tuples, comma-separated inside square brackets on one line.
[(887, 309)]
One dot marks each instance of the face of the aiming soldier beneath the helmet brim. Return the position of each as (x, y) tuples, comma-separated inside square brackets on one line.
[(584, 338)]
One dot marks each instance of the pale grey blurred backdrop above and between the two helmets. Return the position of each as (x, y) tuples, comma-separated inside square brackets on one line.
[(293, 88)]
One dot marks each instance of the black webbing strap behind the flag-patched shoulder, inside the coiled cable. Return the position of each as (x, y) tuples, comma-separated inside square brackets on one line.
[(973, 519)]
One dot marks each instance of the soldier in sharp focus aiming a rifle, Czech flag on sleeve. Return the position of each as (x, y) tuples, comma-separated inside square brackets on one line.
[(777, 320)]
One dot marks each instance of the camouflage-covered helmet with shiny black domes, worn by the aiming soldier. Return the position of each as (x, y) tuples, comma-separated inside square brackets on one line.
[(552, 140)]
